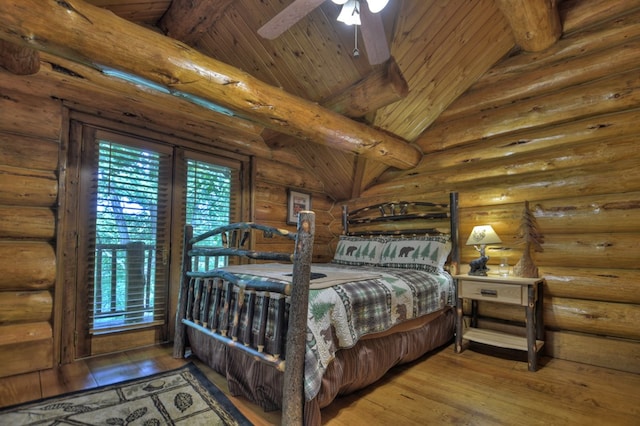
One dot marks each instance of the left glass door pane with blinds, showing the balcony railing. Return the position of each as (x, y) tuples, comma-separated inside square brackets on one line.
[(130, 260)]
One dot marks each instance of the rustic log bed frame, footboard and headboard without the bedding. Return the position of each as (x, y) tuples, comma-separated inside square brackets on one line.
[(199, 288)]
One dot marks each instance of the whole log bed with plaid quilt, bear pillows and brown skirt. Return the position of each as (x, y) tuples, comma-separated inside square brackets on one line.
[(385, 299)]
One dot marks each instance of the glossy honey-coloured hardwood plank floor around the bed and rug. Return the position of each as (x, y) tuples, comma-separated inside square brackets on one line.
[(476, 387)]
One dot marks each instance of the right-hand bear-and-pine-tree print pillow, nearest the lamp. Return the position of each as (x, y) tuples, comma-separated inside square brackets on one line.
[(426, 253)]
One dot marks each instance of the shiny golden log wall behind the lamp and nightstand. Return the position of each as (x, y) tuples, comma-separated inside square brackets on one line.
[(560, 129)]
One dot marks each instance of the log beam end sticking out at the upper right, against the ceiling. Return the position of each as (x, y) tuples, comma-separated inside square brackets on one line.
[(535, 23)]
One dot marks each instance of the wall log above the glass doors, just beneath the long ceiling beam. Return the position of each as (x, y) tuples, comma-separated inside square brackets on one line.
[(88, 90)]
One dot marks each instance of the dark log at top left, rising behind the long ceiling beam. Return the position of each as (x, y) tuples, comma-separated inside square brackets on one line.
[(187, 20)]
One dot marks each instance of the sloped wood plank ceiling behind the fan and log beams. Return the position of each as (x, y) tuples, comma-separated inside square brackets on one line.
[(440, 48)]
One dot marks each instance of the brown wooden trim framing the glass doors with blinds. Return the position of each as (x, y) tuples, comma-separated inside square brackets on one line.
[(67, 254)]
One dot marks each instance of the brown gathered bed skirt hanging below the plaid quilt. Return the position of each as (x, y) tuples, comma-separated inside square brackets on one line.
[(352, 369)]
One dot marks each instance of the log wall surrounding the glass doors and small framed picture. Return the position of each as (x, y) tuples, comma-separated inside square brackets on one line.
[(32, 126)]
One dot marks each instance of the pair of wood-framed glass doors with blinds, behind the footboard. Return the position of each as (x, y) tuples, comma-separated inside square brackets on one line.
[(132, 198)]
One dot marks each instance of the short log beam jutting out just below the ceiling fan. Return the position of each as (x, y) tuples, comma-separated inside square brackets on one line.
[(383, 86)]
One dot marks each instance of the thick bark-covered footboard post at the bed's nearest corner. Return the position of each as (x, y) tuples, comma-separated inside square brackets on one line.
[(293, 388)]
